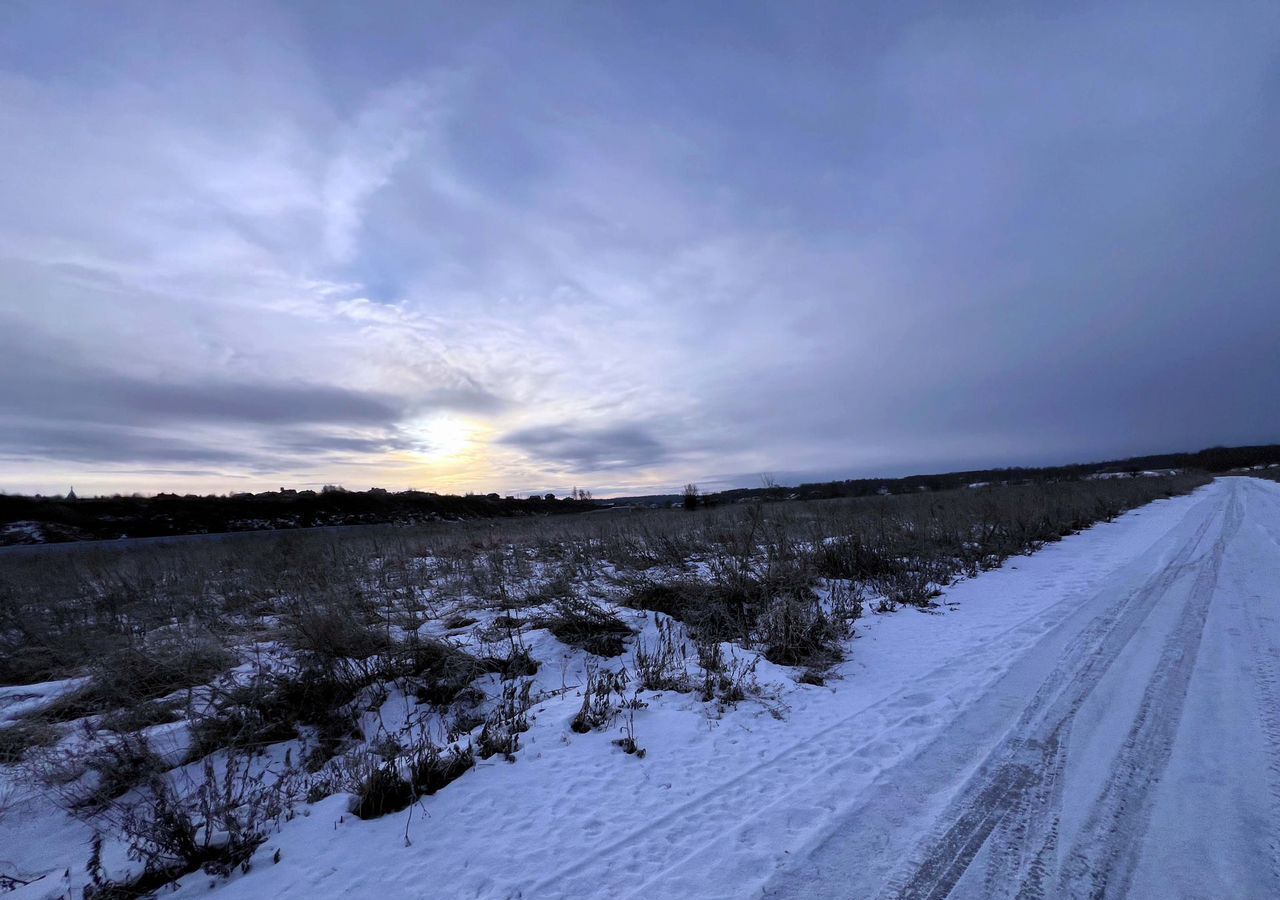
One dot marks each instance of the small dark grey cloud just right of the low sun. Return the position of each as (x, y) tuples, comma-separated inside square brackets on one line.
[(589, 450)]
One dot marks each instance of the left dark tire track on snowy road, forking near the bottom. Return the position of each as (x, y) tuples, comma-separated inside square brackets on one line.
[(1014, 791)]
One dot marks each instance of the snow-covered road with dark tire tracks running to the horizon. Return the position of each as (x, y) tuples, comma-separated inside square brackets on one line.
[(1131, 751)]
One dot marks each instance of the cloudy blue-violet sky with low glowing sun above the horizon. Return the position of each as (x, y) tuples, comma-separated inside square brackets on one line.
[(624, 246)]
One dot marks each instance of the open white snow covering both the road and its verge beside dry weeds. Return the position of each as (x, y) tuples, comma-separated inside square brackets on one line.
[(1099, 719)]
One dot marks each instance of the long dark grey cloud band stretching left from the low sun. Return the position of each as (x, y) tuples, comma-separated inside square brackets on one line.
[(60, 409)]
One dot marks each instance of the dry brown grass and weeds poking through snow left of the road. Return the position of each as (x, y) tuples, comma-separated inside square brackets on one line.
[(441, 614)]
